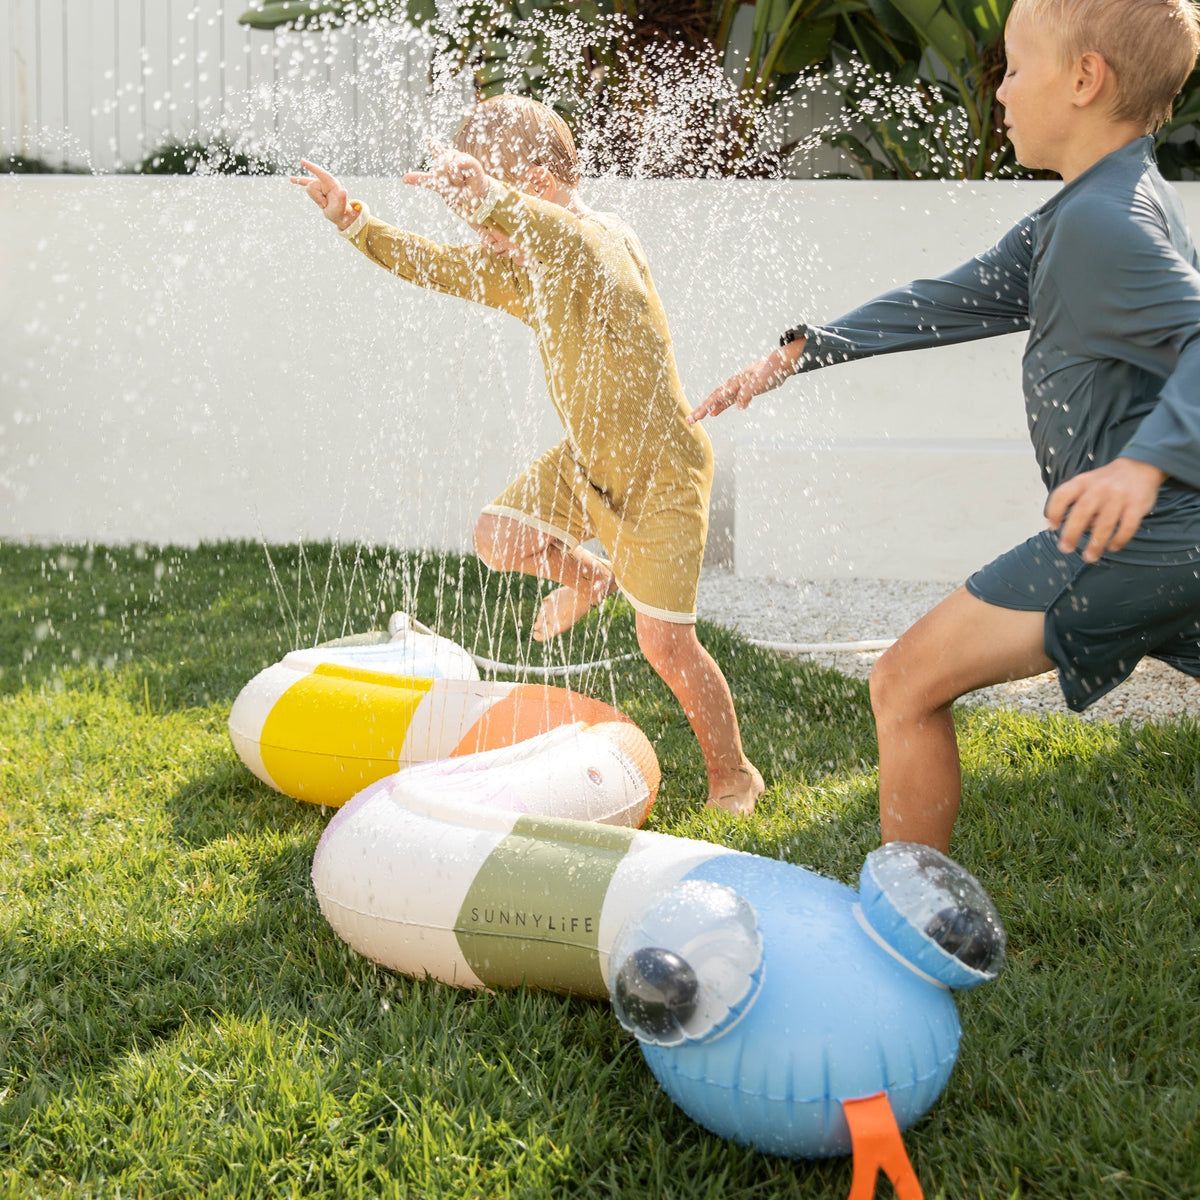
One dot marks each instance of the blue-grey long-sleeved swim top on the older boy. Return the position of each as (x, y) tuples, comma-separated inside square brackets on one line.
[(1106, 279)]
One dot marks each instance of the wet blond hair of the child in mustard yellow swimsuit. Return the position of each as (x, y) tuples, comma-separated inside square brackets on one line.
[(509, 135)]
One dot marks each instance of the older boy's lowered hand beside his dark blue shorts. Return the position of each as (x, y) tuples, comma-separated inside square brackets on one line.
[(1109, 503)]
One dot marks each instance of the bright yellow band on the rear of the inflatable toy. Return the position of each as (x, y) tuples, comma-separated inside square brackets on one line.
[(338, 731)]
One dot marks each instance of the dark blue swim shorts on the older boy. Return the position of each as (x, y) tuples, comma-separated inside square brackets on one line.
[(1102, 619)]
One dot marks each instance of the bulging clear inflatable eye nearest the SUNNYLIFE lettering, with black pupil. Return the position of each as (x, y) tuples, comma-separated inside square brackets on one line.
[(688, 967)]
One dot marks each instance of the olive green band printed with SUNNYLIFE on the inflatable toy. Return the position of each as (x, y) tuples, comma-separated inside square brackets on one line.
[(532, 915)]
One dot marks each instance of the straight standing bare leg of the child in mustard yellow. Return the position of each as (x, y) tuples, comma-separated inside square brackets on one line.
[(698, 683)]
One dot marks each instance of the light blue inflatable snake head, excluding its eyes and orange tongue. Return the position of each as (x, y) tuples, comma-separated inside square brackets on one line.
[(837, 1018)]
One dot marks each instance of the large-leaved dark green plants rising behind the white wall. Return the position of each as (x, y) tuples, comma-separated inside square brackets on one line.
[(919, 79)]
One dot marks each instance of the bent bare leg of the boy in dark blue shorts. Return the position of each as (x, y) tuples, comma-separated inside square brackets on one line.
[(961, 646)]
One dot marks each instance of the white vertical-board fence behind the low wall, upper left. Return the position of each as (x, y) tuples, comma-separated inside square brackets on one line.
[(104, 83)]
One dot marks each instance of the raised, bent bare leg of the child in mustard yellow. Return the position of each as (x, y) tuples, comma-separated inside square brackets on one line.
[(509, 545)]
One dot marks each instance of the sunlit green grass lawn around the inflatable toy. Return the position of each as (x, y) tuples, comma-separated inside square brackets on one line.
[(178, 1019)]
